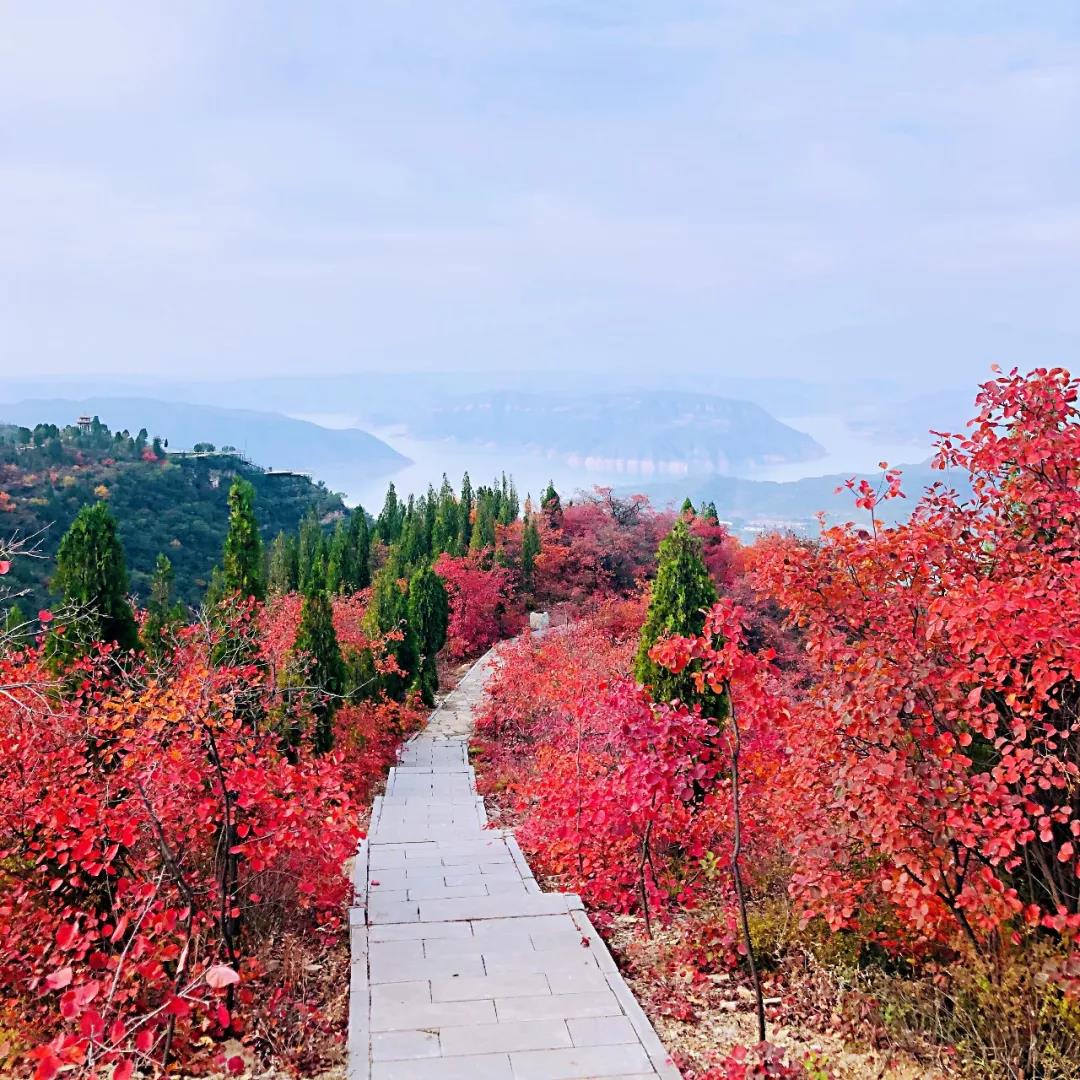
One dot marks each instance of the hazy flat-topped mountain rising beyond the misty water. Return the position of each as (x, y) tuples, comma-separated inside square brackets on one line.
[(641, 435)]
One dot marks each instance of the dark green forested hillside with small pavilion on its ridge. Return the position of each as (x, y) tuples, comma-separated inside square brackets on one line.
[(172, 505)]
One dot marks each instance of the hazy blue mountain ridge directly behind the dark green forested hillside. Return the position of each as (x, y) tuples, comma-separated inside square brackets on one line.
[(273, 440)]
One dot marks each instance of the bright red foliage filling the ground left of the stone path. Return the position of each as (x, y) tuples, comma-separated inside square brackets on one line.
[(156, 835)]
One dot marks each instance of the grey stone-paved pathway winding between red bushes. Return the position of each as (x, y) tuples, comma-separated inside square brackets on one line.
[(463, 968)]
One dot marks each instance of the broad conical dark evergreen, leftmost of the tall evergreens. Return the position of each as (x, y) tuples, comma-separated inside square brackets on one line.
[(92, 578)]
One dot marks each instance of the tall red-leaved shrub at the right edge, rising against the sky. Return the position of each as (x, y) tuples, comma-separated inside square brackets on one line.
[(935, 765)]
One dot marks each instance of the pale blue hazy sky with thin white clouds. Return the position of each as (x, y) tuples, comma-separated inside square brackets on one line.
[(825, 187)]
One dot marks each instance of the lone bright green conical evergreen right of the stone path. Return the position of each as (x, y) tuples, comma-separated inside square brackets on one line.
[(682, 592)]
